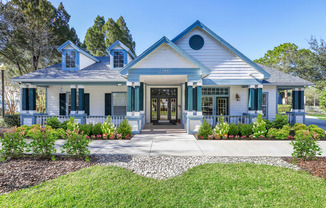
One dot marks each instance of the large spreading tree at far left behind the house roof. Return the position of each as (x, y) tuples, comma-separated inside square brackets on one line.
[(30, 32)]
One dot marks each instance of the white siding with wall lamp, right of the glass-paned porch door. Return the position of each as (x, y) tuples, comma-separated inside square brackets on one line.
[(237, 108)]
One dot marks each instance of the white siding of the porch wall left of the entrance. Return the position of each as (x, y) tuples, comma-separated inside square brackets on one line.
[(96, 94)]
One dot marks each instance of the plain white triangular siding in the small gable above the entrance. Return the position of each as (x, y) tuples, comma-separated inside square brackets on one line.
[(164, 57)]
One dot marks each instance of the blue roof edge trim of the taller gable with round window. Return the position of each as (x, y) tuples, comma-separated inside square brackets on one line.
[(224, 43)]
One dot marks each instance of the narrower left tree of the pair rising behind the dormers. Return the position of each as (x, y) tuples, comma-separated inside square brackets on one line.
[(94, 39)]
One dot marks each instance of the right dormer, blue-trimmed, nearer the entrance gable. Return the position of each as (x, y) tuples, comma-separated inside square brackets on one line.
[(120, 55)]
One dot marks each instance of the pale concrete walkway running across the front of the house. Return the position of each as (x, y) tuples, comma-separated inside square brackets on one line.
[(182, 144)]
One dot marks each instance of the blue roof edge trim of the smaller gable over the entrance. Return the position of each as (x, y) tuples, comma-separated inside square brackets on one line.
[(164, 39)]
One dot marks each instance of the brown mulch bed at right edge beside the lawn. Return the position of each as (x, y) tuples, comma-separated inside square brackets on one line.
[(316, 167)]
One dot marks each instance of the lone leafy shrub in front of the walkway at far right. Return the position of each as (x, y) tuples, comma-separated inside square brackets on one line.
[(305, 146)]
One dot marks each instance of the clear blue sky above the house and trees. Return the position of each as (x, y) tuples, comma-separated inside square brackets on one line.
[(253, 27)]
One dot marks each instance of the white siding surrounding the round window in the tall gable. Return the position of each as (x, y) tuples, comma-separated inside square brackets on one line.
[(222, 62)]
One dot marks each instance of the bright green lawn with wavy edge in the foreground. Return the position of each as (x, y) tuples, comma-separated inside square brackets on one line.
[(210, 185)]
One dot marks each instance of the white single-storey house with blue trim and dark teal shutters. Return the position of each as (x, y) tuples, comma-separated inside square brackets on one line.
[(195, 75)]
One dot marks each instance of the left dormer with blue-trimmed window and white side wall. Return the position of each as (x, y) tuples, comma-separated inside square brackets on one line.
[(75, 58)]
